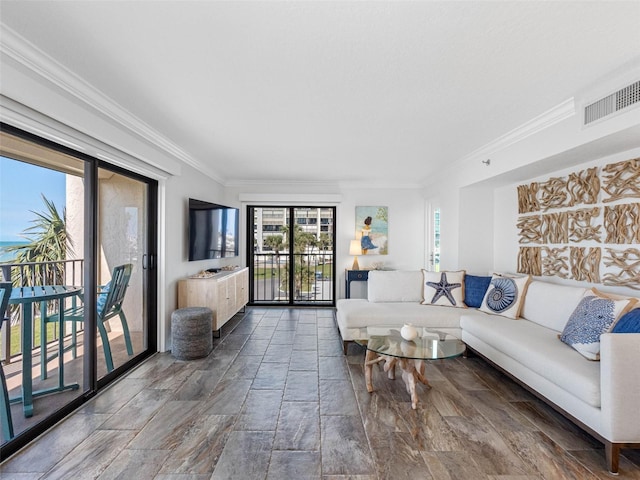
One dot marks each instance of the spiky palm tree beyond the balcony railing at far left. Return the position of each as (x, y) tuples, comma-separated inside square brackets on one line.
[(48, 242)]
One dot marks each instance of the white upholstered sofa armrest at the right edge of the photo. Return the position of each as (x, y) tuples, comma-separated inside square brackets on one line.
[(620, 386)]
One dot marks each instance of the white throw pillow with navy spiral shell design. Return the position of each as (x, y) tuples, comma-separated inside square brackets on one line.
[(505, 295)]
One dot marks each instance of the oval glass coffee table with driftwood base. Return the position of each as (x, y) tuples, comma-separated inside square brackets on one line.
[(385, 344)]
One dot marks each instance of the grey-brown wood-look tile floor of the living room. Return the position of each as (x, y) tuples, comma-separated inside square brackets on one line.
[(277, 399)]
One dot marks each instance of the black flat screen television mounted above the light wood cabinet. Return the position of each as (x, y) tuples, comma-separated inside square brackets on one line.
[(213, 230)]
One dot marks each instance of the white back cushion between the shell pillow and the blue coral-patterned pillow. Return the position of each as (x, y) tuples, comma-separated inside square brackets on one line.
[(551, 305)]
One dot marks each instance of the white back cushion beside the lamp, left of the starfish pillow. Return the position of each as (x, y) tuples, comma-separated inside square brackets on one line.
[(394, 286)]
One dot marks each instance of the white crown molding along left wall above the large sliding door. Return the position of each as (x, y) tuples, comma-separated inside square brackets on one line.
[(39, 63)]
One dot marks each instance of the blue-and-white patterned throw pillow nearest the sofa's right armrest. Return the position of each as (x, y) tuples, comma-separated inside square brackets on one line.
[(593, 316)]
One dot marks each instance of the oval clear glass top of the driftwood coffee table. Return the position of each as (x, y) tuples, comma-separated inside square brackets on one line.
[(429, 345)]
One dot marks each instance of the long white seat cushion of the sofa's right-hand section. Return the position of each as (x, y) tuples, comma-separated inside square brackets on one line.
[(538, 349)]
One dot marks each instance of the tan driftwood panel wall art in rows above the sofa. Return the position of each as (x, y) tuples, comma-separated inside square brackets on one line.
[(564, 220)]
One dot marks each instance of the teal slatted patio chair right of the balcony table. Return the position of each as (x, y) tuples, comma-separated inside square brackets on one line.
[(109, 303)]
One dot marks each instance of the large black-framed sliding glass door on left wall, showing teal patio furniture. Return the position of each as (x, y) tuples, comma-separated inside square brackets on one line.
[(77, 244)]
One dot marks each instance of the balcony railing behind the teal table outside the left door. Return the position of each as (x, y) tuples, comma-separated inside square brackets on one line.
[(63, 272)]
